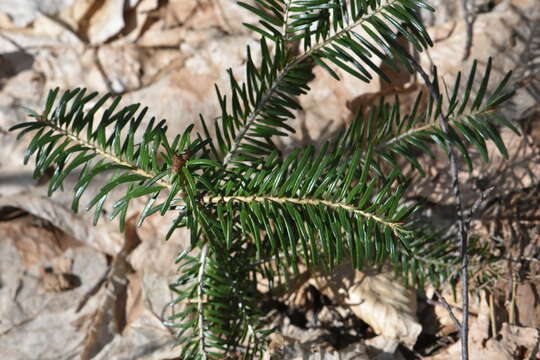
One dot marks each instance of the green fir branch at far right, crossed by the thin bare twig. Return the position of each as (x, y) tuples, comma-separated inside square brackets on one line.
[(469, 126)]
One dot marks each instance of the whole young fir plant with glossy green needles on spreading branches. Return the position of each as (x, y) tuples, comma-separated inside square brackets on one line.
[(253, 213)]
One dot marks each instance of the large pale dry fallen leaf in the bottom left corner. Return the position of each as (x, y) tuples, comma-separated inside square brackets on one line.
[(37, 324)]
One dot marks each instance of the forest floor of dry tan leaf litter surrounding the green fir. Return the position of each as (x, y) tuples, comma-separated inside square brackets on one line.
[(66, 290)]
